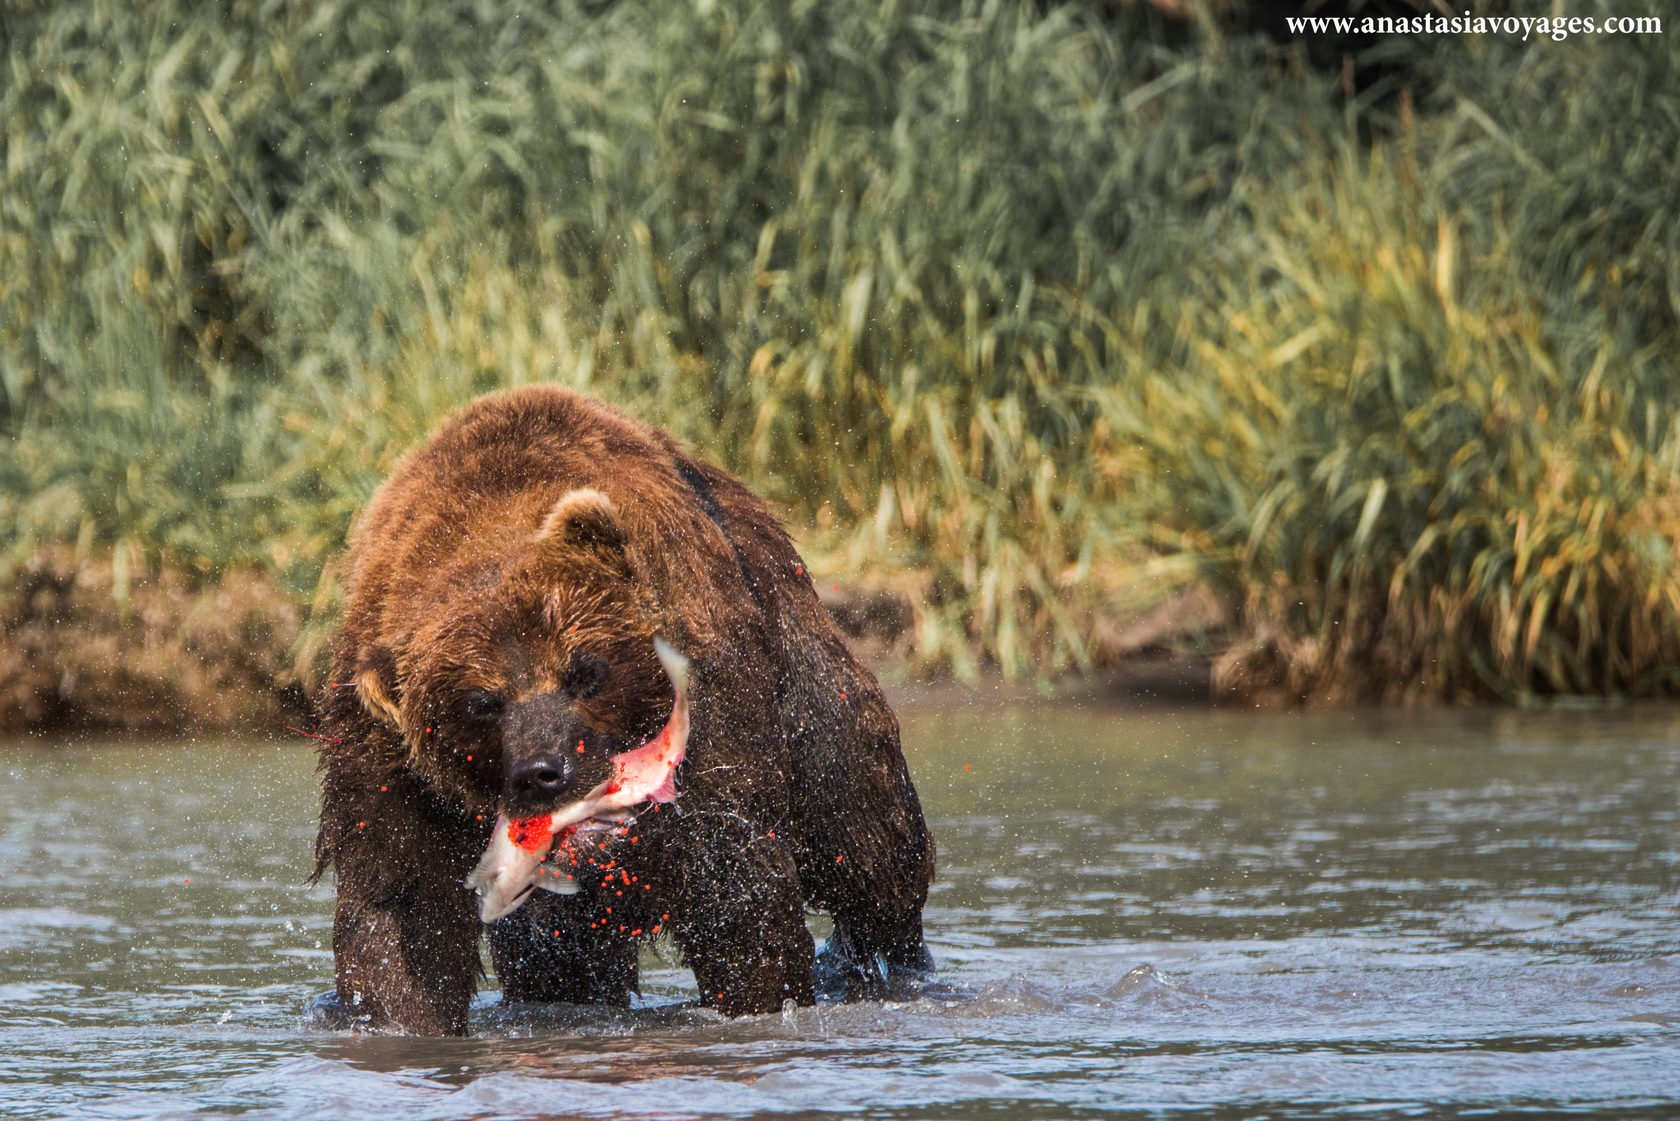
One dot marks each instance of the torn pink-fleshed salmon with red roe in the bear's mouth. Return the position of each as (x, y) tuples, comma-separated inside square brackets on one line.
[(522, 850)]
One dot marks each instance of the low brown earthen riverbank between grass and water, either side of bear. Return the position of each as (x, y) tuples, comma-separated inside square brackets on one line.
[(171, 653)]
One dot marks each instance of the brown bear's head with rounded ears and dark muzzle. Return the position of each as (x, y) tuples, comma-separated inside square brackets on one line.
[(525, 663)]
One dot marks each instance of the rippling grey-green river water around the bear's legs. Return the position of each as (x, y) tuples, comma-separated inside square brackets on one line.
[(1152, 913)]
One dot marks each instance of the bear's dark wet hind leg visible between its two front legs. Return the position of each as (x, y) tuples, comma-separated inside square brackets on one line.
[(547, 952)]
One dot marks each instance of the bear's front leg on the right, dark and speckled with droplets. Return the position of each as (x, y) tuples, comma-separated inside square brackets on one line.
[(742, 922)]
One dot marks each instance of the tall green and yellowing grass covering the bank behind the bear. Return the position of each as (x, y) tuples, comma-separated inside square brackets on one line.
[(1026, 315)]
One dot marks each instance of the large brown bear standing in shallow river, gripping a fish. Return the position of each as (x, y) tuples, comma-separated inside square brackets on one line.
[(496, 653)]
